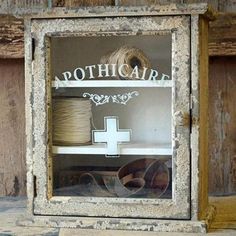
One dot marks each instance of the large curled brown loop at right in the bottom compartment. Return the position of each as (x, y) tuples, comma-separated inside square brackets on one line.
[(143, 177)]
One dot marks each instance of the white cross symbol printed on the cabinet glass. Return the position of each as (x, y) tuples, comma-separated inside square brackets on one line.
[(112, 135)]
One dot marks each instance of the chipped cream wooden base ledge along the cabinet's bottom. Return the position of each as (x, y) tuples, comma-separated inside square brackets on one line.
[(115, 224)]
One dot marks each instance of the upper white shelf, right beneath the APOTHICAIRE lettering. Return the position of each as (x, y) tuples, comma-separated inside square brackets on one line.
[(112, 83)]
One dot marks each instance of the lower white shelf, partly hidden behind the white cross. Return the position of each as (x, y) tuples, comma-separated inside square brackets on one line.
[(125, 149)]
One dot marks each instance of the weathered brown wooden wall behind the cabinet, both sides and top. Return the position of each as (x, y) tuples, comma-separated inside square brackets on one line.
[(222, 100)]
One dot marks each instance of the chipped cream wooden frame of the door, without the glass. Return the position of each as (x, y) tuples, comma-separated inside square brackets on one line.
[(179, 206)]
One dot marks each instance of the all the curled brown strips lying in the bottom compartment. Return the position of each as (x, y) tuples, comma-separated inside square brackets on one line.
[(145, 177)]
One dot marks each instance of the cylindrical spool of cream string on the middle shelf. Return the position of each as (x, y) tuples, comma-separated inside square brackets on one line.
[(71, 121)]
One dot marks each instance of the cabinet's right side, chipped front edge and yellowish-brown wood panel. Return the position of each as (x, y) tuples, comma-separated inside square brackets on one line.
[(199, 142)]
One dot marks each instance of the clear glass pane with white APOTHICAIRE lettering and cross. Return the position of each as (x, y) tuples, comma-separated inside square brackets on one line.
[(112, 116)]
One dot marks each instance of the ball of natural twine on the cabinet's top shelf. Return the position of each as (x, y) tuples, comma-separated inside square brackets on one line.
[(129, 55)]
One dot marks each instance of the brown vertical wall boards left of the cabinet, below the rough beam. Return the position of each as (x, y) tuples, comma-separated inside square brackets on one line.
[(12, 140)]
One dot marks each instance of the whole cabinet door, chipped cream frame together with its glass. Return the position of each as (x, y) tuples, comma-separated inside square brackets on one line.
[(116, 117)]
